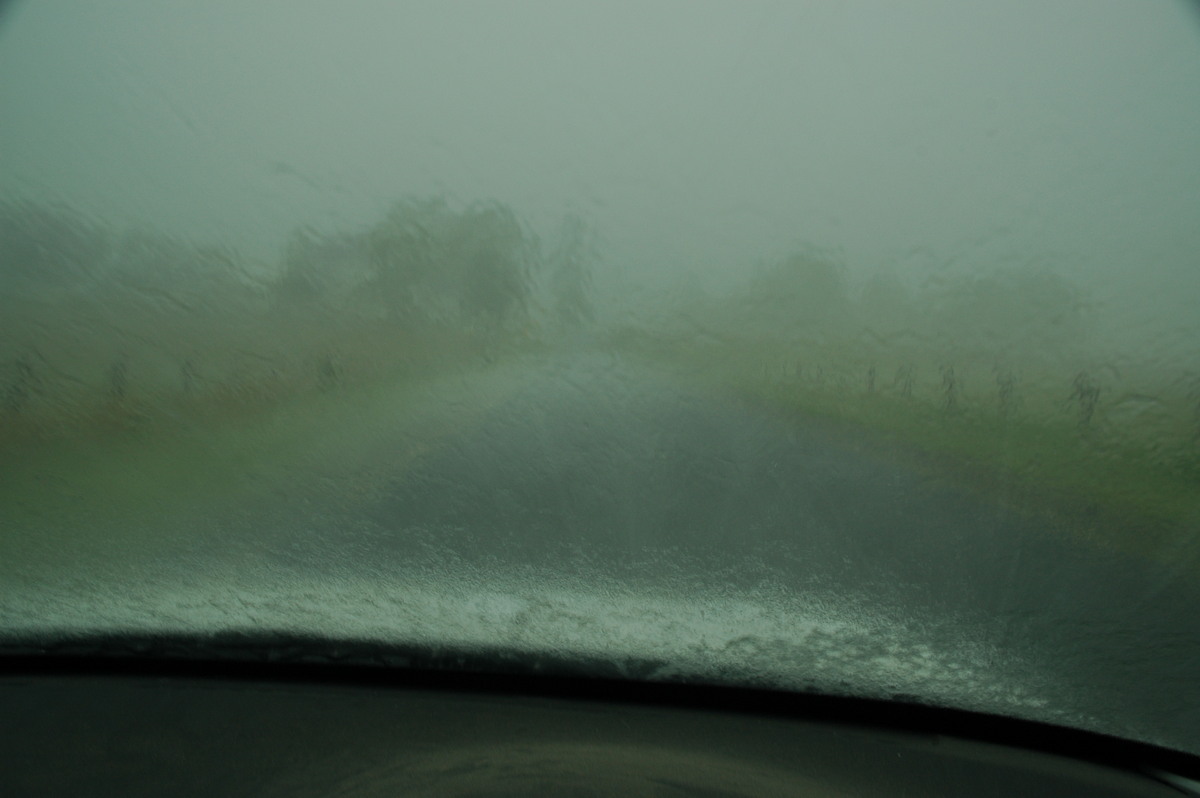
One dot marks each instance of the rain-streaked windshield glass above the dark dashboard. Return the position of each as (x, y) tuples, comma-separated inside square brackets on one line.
[(837, 347)]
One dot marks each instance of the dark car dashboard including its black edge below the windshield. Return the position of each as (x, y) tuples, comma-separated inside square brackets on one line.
[(146, 725)]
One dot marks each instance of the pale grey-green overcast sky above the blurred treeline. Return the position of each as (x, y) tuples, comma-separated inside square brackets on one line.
[(694, 136)]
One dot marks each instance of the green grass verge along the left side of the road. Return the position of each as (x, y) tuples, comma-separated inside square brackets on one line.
[(134, 477)]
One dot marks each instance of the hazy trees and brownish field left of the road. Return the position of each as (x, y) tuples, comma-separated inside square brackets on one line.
[(105, 329)]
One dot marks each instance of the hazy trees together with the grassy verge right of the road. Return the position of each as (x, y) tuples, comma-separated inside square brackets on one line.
[(991, 380)]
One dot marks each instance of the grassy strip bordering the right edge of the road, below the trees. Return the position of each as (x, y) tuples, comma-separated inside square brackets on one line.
[(1029, 443)]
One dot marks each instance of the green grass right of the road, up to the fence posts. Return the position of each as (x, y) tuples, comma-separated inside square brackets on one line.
[(1114, 490)]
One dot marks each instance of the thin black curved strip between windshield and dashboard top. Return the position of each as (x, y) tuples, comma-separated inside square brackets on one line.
[(365, 665)]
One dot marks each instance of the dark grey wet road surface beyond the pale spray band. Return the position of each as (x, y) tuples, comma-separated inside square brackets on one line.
[(596, 467)]
